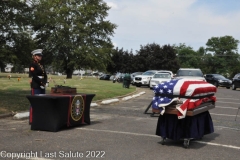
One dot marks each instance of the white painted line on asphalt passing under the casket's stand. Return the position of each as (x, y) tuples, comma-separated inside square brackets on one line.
[(149, 135)]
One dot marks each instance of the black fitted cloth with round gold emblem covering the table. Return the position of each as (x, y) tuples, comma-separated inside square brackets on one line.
[(52, 112)]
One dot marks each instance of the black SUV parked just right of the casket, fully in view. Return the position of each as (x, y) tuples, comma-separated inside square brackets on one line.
[(218, 80)]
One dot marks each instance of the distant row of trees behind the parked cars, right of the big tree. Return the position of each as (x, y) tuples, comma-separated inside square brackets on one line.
[(220, 56)]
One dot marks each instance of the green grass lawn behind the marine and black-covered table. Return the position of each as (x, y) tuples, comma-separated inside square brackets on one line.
[(13, 91)]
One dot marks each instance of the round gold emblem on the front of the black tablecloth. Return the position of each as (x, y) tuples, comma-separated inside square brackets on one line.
[(77, 108)]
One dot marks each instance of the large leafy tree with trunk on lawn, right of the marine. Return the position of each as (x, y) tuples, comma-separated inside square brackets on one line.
[(74, 32)]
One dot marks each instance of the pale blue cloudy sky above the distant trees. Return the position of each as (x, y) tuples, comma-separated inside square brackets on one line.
[(193, 22)]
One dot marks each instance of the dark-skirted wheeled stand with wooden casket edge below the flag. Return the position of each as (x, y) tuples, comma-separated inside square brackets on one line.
[(195, 125)]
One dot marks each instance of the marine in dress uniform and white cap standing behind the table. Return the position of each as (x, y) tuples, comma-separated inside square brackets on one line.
[(38, 74)]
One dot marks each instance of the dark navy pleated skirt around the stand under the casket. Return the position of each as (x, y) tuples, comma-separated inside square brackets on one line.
[(169, 126)]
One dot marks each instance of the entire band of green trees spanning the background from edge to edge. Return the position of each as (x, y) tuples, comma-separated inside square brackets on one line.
[(75, 35)]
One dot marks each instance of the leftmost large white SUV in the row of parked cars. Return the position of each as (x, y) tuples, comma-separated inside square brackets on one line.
[(144, 79)]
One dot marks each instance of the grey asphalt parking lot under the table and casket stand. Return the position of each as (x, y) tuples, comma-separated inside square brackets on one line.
[(123, 131)]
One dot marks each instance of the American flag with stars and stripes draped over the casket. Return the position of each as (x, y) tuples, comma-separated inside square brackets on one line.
[(191, 92)]
